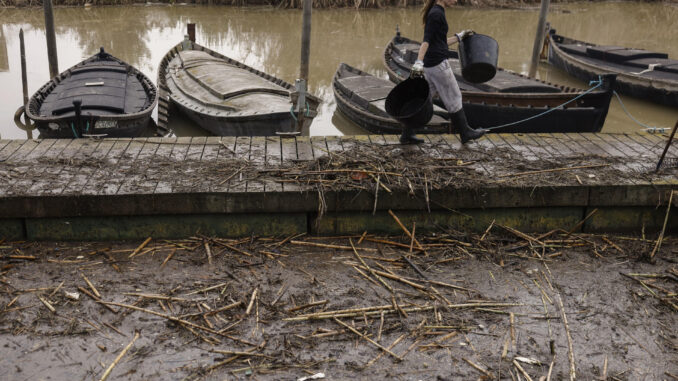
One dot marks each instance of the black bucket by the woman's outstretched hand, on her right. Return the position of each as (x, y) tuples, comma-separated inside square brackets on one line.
[(478, 54)]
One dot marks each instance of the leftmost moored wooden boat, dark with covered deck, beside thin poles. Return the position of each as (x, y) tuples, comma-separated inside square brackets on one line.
[(101, 95)]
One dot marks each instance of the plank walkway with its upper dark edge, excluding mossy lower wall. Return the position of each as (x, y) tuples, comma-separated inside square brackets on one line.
[(208, 175)]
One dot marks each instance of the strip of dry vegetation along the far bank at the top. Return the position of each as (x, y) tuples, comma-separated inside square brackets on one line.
[(286, 3)]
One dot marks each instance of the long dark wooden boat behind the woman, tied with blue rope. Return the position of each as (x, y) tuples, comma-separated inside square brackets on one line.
[(510, 97)]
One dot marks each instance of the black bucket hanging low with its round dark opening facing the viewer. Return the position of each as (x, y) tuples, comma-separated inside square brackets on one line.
[(410, 103)]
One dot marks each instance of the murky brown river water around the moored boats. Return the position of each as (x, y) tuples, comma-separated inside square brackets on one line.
[(269, 39)]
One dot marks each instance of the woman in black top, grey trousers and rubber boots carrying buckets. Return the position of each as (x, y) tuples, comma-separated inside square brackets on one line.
[(432, 61)]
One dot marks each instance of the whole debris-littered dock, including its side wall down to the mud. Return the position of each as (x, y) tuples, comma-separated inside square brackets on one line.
[(225, 186)]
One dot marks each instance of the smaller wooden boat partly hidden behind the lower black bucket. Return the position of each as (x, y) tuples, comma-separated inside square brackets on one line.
[(362, 97)]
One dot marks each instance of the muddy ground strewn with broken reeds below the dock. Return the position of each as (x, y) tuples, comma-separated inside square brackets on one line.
[(476, 307)]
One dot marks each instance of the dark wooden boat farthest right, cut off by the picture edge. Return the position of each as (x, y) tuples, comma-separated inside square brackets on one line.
[(640, 73)]
